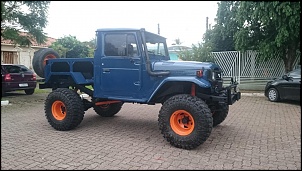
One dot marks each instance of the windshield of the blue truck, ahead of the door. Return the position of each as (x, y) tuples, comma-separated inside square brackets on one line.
[(156, 45)]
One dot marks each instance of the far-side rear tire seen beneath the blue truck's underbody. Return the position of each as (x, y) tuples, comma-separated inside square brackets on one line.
[(108, 110)]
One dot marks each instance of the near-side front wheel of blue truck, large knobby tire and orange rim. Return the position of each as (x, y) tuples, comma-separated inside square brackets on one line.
[(190, 109)]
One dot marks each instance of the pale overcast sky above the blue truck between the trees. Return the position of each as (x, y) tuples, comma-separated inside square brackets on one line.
[(185, 20)]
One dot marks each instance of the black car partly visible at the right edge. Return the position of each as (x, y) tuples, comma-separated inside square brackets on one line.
[(285, 87)]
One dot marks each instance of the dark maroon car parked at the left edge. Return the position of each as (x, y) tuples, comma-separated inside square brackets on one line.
[(17, 77)]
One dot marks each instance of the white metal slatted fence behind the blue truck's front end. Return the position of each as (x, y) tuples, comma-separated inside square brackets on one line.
[(245, 67)]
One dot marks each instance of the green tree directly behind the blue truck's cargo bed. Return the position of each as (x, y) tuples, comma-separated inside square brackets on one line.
[(70, 47)]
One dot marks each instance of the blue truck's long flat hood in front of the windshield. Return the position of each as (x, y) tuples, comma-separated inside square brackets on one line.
[(183, 65)]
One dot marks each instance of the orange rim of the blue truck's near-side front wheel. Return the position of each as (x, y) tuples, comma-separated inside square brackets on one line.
[(182, 122)]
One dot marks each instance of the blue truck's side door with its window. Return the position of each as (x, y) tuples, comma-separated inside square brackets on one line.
[(120, 66)]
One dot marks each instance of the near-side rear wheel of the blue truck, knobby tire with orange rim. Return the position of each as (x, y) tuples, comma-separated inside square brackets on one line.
[(64, 109)]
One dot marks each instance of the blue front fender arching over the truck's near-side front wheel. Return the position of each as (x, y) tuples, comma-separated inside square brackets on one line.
[(199, 82)]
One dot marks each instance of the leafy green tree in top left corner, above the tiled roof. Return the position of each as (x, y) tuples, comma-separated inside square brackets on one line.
[(27, 16)]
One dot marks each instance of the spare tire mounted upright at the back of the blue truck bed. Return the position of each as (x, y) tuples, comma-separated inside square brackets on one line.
[(40, 58)]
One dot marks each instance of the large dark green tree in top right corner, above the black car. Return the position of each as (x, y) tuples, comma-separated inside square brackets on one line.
[(270, 27)]
